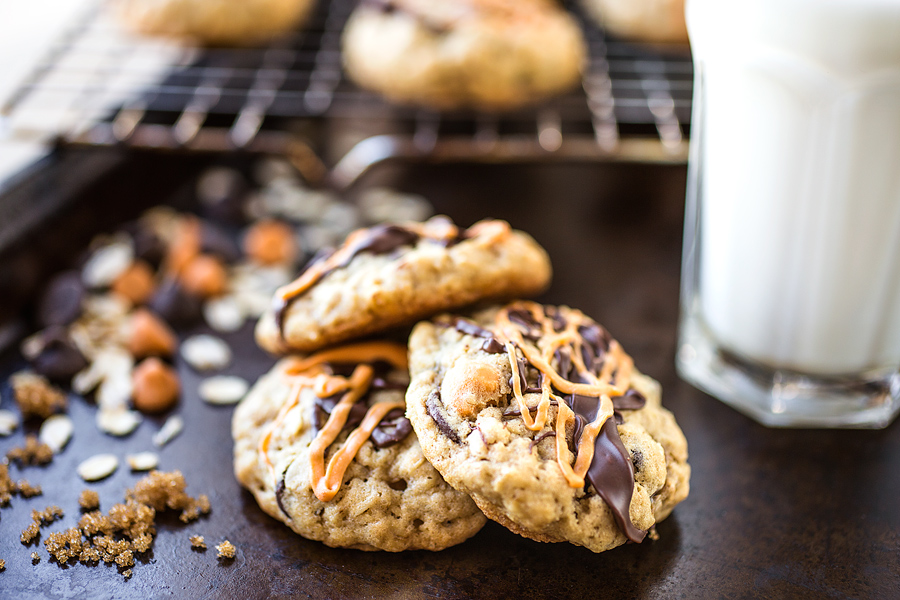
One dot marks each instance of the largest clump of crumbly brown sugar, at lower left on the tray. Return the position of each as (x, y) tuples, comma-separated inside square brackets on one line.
[(127, 529)]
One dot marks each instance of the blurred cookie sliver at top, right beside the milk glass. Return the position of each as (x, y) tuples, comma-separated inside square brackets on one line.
[(657, 21)]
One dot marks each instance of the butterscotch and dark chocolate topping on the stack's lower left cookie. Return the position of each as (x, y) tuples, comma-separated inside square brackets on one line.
[(341, 403)]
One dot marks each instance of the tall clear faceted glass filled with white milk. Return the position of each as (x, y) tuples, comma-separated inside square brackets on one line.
[(791, 272)]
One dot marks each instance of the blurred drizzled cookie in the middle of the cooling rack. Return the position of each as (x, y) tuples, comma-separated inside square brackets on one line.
[(483, 54)]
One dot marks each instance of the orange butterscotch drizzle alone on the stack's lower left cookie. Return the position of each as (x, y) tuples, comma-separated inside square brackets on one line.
[(310, 373)]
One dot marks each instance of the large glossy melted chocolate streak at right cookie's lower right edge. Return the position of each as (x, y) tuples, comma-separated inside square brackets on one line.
[(612, 475)]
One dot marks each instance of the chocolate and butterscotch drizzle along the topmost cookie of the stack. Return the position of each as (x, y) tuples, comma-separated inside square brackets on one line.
[(381, 239)]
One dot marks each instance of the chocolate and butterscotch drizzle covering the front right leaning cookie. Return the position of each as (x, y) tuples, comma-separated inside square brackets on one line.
[(590, 384)]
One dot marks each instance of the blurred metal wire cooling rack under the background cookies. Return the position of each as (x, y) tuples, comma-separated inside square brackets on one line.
[(100, 86)]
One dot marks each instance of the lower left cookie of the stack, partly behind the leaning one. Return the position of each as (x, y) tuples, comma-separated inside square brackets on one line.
[(323, 445)]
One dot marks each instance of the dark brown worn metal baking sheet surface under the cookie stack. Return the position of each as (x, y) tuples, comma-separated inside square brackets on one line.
[(772, 513)]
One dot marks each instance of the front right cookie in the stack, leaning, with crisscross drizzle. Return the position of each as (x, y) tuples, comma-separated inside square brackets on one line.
[(565, 441)]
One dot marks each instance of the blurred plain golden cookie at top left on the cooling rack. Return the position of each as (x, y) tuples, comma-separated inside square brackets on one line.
[(214, 22)]
